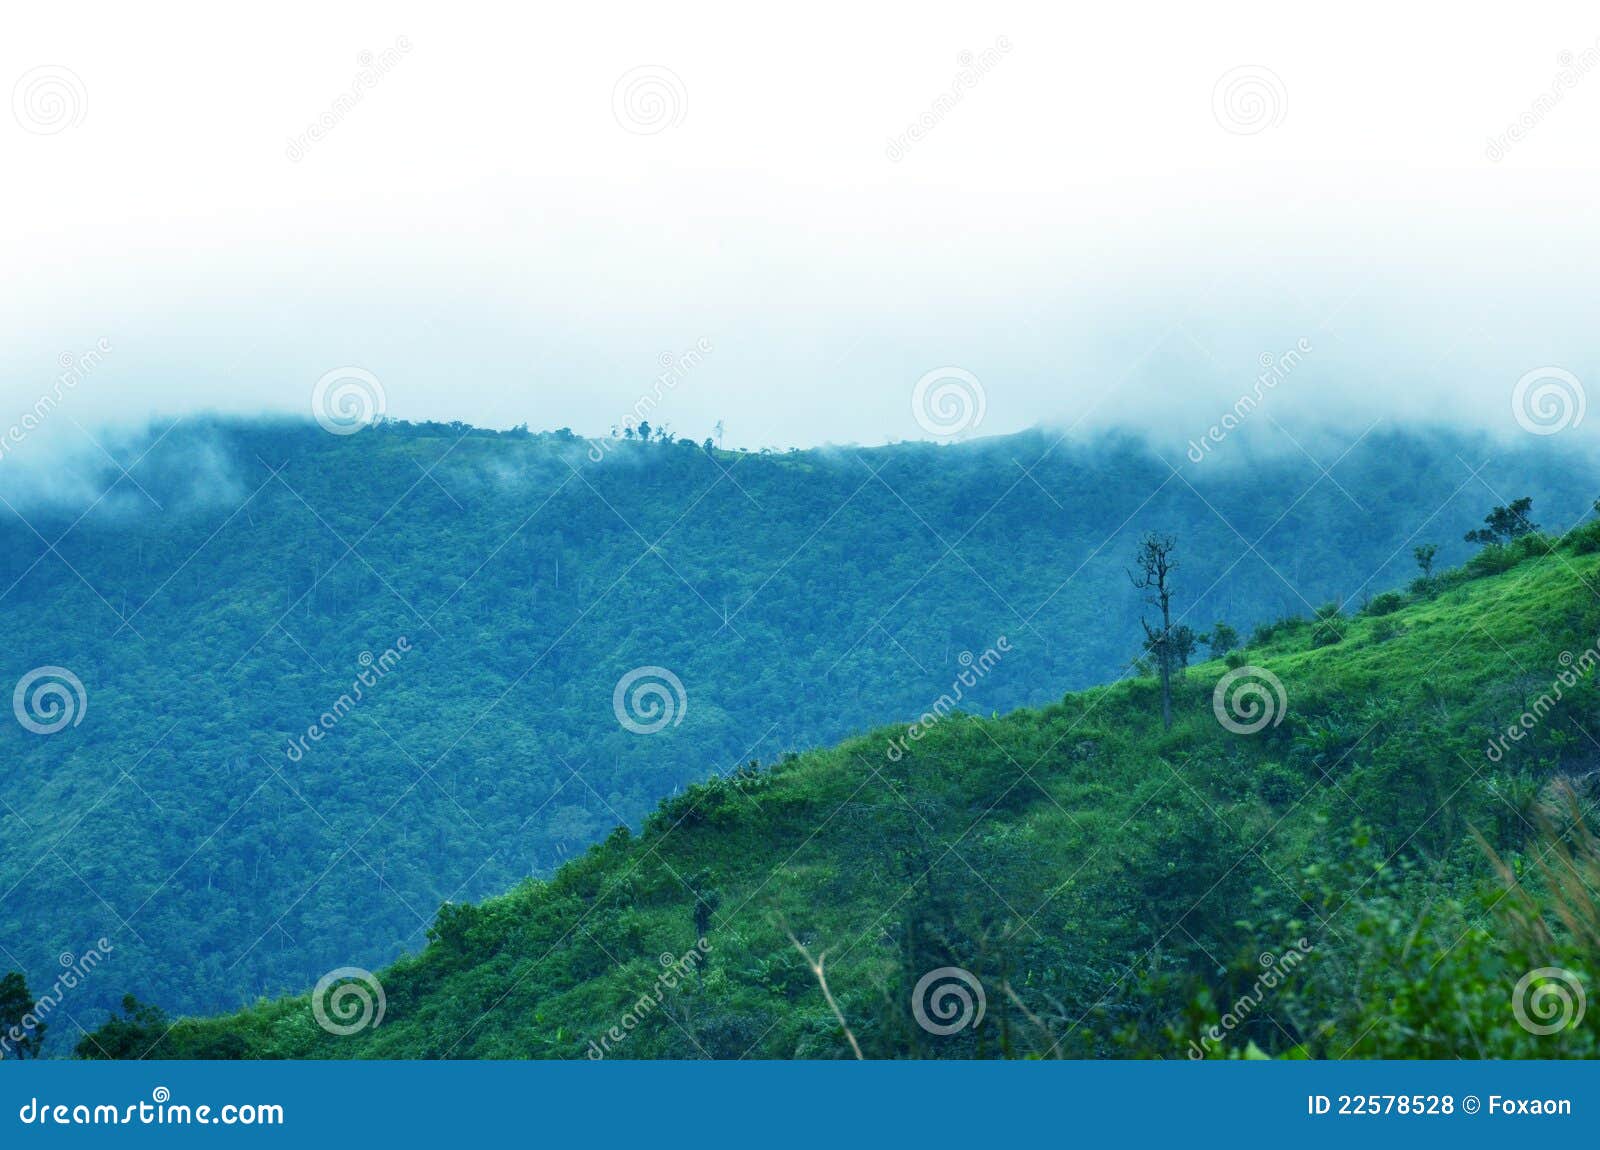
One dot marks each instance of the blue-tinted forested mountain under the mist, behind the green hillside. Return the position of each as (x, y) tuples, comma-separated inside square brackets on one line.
[(236, 821)]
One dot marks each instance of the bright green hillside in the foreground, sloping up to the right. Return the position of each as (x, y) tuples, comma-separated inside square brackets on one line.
[(1113, 888)]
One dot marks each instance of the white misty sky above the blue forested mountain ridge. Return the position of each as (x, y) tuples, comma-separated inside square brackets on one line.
[(1103, 218)]
